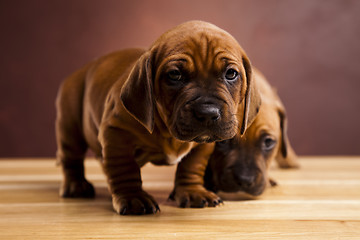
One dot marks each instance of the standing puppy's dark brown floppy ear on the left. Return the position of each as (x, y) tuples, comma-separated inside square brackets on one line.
[(137, 92)]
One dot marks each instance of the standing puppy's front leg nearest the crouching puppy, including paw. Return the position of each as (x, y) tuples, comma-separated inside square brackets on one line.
[(189, 181)]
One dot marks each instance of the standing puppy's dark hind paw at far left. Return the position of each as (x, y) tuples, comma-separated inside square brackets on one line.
[(77, 189)]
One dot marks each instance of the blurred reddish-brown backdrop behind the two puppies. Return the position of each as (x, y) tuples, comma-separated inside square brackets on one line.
[(309, 50)]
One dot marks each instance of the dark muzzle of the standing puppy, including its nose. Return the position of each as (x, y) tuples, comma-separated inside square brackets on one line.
[(204, 120)]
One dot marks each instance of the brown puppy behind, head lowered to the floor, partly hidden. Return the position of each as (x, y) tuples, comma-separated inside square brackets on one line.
[(241, 163)]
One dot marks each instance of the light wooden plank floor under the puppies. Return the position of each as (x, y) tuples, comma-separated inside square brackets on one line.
[(319, 201)]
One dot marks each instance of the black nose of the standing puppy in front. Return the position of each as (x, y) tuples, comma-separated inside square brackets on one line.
[(206, 113)]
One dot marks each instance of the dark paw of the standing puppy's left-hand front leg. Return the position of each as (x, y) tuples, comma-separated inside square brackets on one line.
[(136, 203)]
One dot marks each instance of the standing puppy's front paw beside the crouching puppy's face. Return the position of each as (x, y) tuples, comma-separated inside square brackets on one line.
[(195, 197)]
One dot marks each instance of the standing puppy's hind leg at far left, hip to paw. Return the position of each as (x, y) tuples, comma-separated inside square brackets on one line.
[(70, 140)]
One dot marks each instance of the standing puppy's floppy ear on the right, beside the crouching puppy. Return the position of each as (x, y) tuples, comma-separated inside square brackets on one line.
[(252, 100)]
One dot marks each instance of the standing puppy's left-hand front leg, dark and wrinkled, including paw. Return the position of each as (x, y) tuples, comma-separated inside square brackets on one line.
[(123, 174)]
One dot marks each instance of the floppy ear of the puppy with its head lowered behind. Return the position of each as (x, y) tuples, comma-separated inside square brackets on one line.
[(286, 157)]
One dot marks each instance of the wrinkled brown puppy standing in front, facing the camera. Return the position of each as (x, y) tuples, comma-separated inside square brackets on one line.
[(161, 105)]
